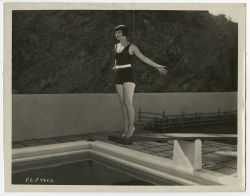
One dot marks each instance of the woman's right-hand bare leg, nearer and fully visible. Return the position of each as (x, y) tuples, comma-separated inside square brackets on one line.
[(128, 93)]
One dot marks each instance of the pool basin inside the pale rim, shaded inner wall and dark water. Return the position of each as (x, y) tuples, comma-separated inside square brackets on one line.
[(85, 168)]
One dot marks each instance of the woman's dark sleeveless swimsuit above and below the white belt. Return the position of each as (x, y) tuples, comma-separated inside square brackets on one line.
[(124, 74)]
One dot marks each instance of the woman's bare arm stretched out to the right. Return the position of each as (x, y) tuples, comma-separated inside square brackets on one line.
[(137, 52)]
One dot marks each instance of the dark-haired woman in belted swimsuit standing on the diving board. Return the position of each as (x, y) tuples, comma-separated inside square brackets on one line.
[(125, 84)]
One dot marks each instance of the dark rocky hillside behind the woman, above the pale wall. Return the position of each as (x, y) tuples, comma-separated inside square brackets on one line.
[(72, 51)]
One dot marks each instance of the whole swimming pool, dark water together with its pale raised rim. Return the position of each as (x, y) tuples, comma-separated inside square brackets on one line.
[(101, 164)]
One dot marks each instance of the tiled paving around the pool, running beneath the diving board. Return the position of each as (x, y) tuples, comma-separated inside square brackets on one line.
[(216, 156)]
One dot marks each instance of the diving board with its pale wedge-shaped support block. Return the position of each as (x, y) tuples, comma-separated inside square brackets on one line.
[(187, 146)]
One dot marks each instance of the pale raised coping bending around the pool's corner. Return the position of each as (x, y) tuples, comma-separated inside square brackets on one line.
[(151, 164)]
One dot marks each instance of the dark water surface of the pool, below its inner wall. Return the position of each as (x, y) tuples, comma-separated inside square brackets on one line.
[(87, 172)]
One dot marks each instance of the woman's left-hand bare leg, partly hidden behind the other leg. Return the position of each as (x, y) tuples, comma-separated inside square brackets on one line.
[(119, 89)]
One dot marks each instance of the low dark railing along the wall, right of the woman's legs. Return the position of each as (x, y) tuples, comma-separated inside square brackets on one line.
[(163, 122)]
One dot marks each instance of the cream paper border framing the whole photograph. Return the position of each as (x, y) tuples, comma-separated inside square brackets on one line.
[(7, 93)]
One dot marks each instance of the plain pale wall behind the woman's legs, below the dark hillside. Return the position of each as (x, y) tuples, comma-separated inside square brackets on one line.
[(49, 115)]
